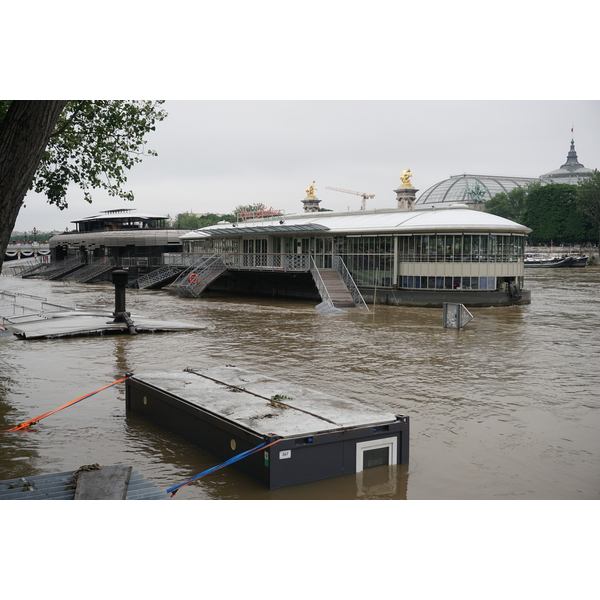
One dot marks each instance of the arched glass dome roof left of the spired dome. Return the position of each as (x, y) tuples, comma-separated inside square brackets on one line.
[(470, 188)]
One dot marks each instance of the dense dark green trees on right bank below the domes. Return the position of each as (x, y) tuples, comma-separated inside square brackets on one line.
[(558, 213)]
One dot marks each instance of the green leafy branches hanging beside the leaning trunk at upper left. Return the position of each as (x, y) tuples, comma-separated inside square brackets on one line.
[(93, 144)]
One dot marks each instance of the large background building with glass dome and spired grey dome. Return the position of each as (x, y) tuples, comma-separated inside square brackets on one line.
[(475, 190)]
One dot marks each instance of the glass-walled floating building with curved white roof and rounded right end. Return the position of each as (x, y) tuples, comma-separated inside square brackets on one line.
[(421, 257)]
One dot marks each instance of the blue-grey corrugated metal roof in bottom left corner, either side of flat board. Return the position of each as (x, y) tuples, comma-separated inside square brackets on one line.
[(61, 486)]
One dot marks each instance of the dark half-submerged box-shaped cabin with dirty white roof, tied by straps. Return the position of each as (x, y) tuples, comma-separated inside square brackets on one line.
[(226, 411)]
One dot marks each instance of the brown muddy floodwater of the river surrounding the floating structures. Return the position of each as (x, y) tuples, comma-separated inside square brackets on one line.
[(507, 408)]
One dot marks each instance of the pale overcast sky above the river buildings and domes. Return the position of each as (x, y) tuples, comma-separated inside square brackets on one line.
[(215, 155)]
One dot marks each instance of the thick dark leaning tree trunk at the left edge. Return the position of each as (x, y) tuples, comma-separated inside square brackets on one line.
[(24, 135)]
